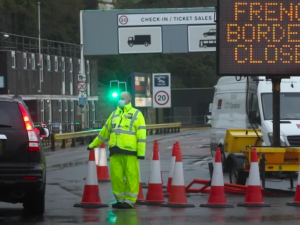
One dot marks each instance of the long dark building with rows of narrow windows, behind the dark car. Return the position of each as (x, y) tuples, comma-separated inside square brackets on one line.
[(50, 88)]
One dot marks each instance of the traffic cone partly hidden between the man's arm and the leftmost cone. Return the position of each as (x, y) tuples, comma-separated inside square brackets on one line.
[(102, 168)]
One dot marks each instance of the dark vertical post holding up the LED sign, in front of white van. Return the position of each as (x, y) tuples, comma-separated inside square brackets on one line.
[(276, 111)]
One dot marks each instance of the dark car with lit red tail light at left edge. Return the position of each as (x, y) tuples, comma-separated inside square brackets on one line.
[(22, 160)]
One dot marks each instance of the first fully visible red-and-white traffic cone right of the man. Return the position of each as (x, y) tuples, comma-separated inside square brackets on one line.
[(155, 190)]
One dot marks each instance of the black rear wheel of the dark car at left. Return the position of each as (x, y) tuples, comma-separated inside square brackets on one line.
[(35, 203)]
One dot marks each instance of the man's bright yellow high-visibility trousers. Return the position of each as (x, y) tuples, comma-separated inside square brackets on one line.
[(125, 166)]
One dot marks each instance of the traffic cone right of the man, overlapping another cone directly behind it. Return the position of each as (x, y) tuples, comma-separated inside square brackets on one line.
[(177, 197)]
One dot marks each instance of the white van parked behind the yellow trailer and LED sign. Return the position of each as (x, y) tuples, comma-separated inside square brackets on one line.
[(230, 105)]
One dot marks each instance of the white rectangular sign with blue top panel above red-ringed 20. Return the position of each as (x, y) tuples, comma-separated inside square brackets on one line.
[(161, 90)]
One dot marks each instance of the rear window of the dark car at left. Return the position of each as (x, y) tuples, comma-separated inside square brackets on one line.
[(10, 116)]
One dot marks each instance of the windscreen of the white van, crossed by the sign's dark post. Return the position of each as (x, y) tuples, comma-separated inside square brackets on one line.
[(289, 106)]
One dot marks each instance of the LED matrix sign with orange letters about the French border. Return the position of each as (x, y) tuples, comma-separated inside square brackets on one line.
[(258, 37)]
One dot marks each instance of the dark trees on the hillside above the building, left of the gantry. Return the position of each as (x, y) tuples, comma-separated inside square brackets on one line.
[(59, 18)]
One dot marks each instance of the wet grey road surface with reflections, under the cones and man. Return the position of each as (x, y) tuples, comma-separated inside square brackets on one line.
[(66, 170)]
